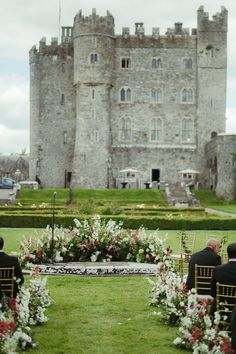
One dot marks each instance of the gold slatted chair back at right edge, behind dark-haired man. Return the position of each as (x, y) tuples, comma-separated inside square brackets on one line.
[(225, 302)]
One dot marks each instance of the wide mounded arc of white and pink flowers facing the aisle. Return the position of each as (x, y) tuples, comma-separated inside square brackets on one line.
[(96, 241)]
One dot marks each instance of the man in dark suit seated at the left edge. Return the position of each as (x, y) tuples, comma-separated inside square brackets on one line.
[(10, 261)]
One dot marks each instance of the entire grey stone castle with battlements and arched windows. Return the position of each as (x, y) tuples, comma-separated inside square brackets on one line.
[(102, 102)]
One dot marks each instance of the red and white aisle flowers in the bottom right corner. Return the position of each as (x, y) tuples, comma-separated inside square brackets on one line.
[(199, 332)]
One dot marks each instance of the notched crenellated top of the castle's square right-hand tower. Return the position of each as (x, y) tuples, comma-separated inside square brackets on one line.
[(218, 23)]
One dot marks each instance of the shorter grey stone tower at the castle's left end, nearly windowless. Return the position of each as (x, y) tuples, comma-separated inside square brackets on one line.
[(52, 112)]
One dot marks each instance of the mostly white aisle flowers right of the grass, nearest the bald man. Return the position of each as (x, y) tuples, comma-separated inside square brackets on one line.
[(170, 295)]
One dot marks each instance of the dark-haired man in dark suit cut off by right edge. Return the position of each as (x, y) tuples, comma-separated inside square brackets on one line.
[(226, 273)]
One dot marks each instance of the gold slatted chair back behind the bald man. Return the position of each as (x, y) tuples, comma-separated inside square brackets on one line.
[(202, 278)]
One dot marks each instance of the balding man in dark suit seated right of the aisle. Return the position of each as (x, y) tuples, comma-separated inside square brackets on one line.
[(207, 257)]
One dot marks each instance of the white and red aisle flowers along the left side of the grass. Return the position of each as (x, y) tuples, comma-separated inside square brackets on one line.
[(17, 315)]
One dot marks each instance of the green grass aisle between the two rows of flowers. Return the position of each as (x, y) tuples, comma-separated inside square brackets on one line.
[(102, 315)]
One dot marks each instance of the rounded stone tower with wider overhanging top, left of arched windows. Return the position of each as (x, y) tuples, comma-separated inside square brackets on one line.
[(93, 73)]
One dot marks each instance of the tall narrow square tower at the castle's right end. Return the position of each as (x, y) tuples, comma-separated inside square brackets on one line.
[(211, 77)]
